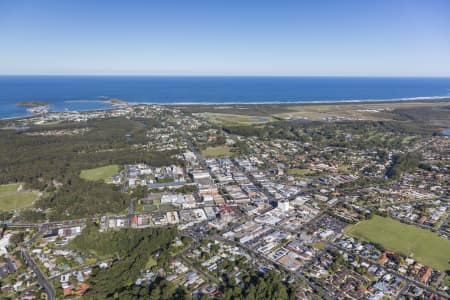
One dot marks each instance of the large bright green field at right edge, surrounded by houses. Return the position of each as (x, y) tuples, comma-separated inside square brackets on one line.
[(422, 245)]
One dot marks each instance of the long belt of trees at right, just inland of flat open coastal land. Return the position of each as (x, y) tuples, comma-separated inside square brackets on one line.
[(349, 134)]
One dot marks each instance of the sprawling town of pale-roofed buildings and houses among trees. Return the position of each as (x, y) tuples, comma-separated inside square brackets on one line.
[(334, 208)]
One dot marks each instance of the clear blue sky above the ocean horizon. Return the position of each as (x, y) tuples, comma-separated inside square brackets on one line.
[(315, 38)]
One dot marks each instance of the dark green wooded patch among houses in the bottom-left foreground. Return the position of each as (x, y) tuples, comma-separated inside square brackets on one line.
[(131, 250)]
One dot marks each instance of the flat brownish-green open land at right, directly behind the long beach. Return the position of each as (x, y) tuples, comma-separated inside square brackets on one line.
[(432, 112)]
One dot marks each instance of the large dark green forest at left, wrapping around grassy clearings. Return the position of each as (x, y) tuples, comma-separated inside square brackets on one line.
[(52, 164)]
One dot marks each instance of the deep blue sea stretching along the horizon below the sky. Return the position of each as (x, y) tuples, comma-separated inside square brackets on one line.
[(56, 90)]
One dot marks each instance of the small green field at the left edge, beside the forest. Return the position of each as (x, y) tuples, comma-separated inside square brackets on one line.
[(11, 199)]
